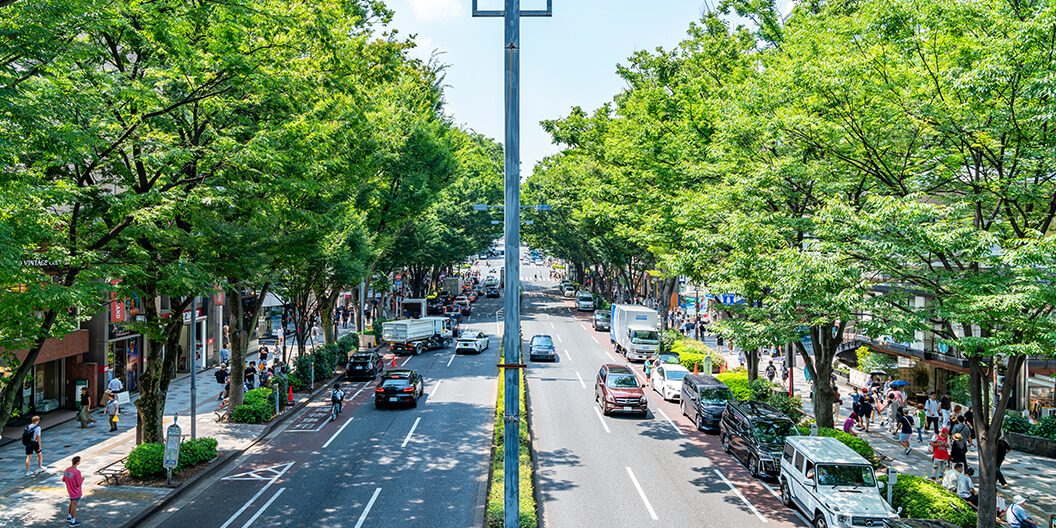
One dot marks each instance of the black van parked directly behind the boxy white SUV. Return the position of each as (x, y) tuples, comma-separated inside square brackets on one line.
[(755, 433)]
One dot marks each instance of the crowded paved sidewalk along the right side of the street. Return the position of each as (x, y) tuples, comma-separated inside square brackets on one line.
[(1028, 476)]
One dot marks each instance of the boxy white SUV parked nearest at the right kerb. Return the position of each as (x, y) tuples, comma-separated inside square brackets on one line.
[(832, 484)]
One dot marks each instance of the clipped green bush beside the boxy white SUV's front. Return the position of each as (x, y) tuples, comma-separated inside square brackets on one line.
[(920, 498)]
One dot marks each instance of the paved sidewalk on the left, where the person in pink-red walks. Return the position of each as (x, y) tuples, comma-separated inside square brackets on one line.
[(42, 500)]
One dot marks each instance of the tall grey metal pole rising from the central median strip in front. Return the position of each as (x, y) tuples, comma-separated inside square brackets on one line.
[(512, 328)]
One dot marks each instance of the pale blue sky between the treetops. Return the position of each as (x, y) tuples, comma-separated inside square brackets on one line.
[(567, 61)]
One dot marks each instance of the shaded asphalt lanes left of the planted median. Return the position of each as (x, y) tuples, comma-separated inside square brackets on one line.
[(424, 467)]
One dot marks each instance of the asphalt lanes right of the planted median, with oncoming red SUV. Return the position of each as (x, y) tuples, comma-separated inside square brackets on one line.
[(617, 470)]
